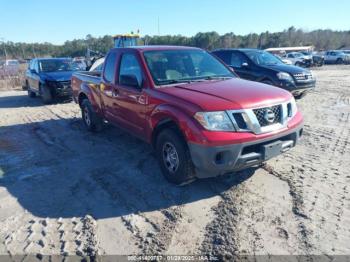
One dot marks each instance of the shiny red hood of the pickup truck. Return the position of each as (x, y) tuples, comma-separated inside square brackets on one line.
[(229, 94)]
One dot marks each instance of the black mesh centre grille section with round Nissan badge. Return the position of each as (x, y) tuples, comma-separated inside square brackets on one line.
[(265, 116)]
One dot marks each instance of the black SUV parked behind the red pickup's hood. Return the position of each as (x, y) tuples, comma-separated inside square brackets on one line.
[(261, 66)]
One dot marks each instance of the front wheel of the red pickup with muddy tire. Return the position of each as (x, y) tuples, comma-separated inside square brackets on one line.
[(174, 157)]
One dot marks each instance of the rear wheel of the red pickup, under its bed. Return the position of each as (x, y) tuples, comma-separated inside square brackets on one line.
[(92, 121)]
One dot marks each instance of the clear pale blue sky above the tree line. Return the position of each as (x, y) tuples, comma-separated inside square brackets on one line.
[(57, 21)]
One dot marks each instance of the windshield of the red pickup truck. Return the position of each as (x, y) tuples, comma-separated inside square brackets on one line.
[(173, 66)]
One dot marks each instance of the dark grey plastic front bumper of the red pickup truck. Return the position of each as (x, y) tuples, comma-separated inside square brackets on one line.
[(211, 161)]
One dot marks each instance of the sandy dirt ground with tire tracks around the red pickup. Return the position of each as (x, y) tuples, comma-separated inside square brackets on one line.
[(66, 191)]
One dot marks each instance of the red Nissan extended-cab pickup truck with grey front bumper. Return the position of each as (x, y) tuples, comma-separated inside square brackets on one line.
[(202, 120)]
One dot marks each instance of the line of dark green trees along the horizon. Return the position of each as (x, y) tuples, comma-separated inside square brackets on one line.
[(321, 39)]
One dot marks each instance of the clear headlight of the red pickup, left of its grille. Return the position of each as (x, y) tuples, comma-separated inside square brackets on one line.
[(215, 121)]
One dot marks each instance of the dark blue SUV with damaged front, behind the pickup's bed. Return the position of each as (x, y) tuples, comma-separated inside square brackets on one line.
[(50, 78)]
